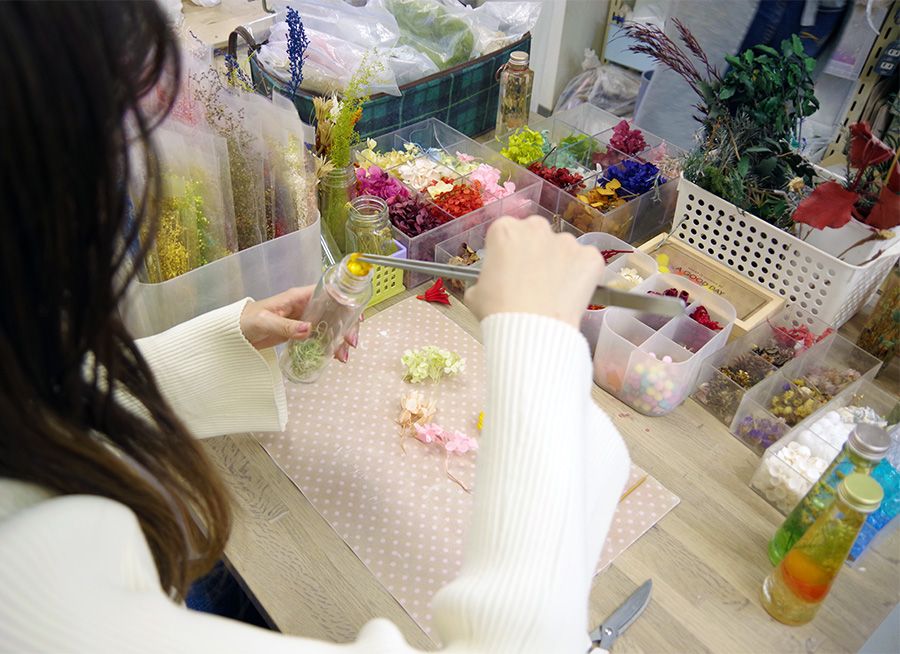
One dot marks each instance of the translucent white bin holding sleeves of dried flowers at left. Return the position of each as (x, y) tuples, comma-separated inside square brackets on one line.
[(294, 259)]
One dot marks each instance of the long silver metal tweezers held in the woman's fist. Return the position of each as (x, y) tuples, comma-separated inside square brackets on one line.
[(603, 296)]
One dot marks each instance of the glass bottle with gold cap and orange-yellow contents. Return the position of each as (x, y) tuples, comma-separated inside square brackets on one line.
[(795, 590)]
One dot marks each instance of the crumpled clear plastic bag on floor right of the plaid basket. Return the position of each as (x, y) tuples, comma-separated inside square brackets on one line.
[(607, 86)]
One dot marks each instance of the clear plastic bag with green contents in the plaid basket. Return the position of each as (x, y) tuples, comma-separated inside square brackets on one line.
[(442, 33)]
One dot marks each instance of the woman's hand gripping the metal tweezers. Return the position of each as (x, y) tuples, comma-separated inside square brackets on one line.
[(529, 269)]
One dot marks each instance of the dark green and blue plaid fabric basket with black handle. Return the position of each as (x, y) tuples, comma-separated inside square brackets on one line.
[(464, 97)]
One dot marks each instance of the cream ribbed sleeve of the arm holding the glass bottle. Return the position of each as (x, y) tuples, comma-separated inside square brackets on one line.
[(214, 379)]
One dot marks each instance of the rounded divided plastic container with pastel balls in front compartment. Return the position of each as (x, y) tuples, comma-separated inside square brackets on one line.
[(651, 362)]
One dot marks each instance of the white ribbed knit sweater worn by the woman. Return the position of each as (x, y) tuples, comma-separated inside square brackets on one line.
[(76, 573)]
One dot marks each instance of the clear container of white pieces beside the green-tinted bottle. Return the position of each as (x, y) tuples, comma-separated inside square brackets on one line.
[(791, 466)]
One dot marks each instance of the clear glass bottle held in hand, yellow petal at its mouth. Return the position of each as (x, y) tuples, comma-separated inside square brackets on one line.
[(335, 307)]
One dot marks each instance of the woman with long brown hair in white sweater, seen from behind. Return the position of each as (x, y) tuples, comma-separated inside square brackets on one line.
[(109, 508)]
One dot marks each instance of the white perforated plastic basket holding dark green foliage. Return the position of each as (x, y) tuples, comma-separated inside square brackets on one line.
[(821, 284)]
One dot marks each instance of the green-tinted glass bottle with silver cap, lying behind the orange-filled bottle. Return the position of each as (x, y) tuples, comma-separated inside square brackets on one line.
[(866, 446)]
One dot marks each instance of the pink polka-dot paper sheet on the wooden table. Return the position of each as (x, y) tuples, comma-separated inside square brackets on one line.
[(398, 511)]
